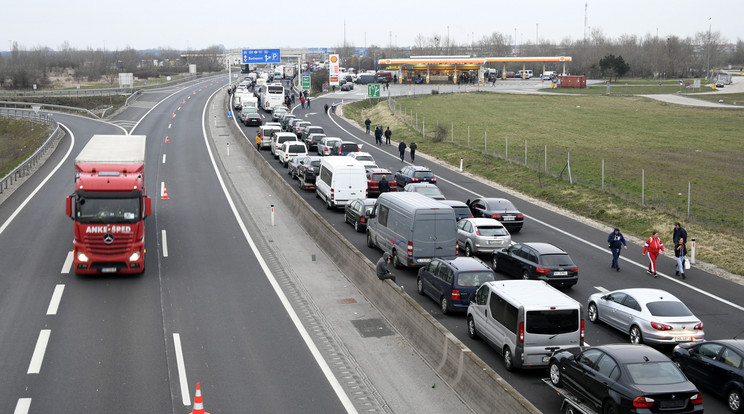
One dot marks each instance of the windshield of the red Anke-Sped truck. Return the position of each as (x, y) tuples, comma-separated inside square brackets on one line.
[(107, 210)]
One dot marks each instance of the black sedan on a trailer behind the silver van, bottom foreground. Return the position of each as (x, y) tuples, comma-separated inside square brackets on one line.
[(625, 378)]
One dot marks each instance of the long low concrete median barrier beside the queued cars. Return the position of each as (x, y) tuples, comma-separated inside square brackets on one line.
[(476, 383)]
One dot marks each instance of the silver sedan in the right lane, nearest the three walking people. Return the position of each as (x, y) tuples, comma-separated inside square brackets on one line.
[(650, 316)]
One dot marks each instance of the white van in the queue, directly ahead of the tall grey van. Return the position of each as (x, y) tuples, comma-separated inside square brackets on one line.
[(340, 180)]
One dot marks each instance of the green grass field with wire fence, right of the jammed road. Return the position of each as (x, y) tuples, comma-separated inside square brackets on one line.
[(670, 145)]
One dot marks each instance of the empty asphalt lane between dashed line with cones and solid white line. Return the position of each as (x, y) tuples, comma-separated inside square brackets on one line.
[(235, 332)]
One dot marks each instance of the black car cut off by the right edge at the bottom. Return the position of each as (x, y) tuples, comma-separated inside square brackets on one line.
[(715, 365)]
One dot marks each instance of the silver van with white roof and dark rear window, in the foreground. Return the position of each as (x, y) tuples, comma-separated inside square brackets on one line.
[(526, 321)]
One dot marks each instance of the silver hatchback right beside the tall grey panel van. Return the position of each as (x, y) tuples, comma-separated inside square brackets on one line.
[(481, 235)]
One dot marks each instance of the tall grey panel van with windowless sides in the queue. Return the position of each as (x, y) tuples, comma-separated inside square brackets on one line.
[(413, 228)]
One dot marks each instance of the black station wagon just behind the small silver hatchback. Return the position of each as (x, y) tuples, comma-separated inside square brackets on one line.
[(541, 261)]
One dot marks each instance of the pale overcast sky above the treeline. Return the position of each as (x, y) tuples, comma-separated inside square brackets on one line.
[(319, 23)]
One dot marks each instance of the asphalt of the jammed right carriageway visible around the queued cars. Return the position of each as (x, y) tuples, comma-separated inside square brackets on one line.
[(713, 299)]
